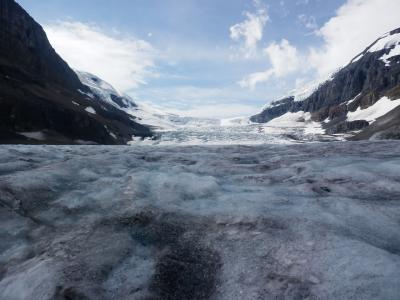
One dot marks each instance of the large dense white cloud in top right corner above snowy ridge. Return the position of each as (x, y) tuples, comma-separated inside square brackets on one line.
[(356, 25)]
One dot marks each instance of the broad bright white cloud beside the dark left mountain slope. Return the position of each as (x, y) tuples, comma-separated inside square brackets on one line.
[(124, 62)]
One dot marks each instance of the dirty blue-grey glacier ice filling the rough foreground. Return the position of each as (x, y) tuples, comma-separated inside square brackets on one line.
[(309, 221)]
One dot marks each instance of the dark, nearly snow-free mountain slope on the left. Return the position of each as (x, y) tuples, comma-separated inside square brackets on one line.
[(42, 100)]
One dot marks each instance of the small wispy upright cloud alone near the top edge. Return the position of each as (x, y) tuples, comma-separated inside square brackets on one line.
[(250, 31)]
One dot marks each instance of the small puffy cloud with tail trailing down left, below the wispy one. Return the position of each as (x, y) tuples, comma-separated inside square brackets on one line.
[(284, 59)]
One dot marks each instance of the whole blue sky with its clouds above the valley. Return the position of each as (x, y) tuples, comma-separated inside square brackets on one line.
[(212, 58)]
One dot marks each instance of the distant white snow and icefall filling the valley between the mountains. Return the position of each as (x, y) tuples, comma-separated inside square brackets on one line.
[(173, 129)]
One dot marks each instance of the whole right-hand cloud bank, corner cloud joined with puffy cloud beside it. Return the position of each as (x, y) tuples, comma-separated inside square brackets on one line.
[(355, 26)]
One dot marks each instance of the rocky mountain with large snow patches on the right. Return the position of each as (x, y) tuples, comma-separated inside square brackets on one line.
[(363, 98)]
